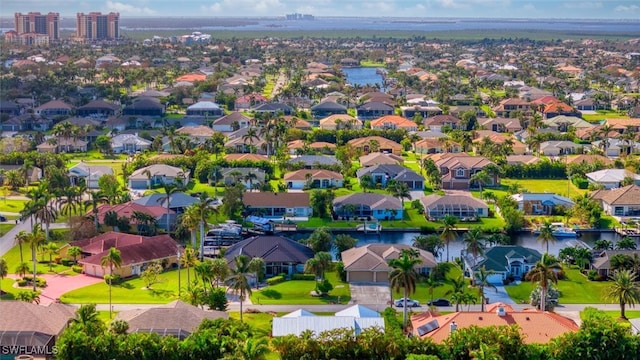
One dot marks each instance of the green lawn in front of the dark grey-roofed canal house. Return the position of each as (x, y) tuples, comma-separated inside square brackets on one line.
[(298, 292)]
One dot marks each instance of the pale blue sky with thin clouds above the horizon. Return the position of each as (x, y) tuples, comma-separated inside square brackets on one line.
[(599, 9)]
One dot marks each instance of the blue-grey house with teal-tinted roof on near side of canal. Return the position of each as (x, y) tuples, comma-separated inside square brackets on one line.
[(505, 260)]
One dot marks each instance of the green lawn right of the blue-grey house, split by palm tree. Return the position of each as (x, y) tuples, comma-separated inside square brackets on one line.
[(577, 289)]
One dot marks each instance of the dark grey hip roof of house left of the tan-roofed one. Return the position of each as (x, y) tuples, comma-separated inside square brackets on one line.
[(270, 249)]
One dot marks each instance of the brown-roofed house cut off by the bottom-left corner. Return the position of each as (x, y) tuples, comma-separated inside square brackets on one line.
[(27, 328)]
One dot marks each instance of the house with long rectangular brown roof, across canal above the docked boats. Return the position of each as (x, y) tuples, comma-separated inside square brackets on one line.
[(292, 206)]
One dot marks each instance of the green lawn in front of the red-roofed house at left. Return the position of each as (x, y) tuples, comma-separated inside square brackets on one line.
[(130, 291)]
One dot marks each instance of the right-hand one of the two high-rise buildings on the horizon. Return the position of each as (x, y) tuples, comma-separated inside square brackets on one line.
[(98, 26)]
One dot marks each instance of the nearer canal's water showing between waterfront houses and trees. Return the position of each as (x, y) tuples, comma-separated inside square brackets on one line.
[(525, 239)]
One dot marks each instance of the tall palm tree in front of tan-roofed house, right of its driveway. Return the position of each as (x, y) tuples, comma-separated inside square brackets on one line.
[(404, 276)]
